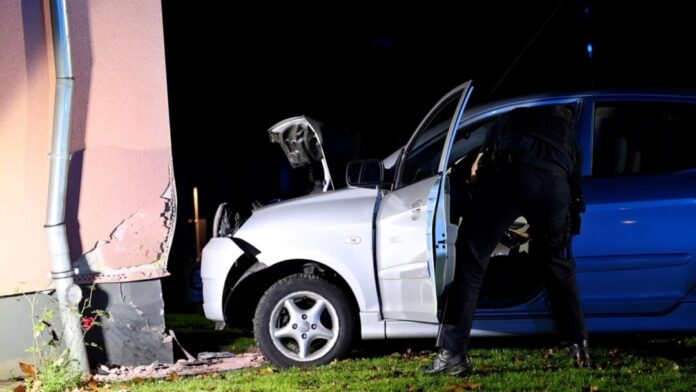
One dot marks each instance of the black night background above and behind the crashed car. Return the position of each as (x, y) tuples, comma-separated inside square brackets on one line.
[(233, 71)]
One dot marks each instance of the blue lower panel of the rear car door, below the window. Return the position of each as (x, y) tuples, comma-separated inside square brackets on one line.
[(637, 255)]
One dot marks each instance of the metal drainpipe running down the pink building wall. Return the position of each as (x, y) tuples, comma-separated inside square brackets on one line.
[(69, 294)]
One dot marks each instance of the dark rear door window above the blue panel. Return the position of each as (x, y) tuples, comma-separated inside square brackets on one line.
[(633, 138)]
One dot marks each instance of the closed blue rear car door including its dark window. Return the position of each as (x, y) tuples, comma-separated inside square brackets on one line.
[(636, 251)]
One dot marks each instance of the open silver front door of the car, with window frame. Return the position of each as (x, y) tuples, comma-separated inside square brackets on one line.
[(414, 236)]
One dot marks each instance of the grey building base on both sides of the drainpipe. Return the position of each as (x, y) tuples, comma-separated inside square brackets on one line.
[(135, 333)]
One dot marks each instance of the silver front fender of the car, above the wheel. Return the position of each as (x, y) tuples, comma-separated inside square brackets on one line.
[(334, 229)]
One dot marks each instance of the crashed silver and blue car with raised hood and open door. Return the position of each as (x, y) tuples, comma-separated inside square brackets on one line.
[(372, 259)]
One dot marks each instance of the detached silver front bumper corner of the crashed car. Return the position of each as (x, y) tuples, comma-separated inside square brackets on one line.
[(218, 257)]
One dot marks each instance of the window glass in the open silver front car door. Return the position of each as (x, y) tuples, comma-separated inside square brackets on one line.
[(423, 155)]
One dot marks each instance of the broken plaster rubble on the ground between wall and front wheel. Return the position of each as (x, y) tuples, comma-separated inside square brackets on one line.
[(182, 367)]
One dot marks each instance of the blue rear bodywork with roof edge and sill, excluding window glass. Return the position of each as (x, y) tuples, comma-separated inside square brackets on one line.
[(636, 254)]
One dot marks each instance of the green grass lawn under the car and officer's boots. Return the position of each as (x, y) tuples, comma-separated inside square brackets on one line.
[(622, 363)]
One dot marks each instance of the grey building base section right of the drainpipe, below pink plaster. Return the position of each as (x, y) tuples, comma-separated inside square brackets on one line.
[(135, 333)]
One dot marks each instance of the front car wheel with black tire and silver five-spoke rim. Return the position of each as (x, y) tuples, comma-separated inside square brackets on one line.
[(304, 320)]
